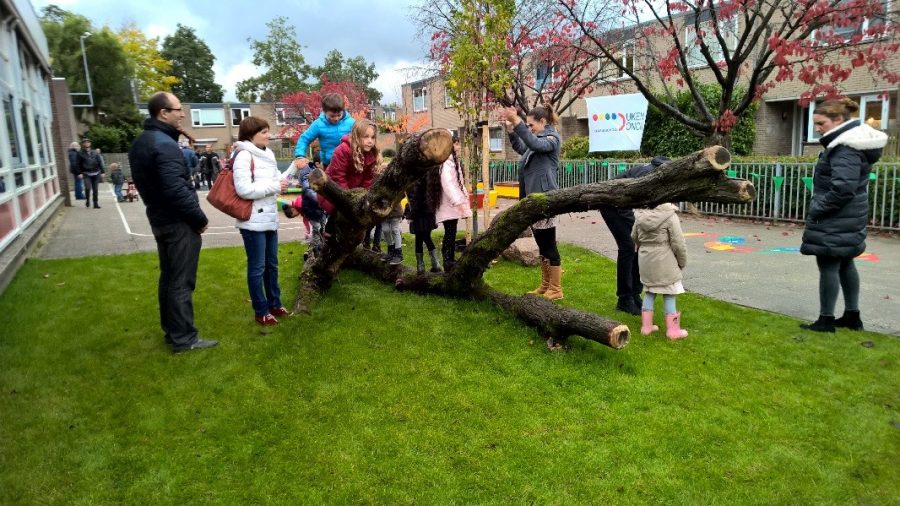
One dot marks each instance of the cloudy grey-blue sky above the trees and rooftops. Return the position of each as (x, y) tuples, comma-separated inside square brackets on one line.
[(379, 30)]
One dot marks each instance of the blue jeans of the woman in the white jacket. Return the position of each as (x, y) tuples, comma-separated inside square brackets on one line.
[(262, 269)]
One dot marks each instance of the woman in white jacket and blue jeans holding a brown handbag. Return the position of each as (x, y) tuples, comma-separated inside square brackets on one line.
[(256, 178)]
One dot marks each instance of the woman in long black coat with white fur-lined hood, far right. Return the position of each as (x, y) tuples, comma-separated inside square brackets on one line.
[(836, 222)]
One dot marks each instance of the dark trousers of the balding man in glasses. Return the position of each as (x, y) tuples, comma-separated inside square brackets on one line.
[(179, 253)]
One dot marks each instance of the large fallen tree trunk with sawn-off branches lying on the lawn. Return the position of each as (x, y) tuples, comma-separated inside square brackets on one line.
[(698, 178)]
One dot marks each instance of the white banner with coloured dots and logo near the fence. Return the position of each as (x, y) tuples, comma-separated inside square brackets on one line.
[(616, 122)]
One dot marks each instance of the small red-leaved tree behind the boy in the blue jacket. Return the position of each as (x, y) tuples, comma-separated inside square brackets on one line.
[(303, 107)]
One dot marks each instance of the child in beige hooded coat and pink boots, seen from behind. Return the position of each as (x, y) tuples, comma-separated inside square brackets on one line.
[(661, 257)]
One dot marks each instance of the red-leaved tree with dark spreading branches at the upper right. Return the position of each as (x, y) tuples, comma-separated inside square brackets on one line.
[(735, 44)]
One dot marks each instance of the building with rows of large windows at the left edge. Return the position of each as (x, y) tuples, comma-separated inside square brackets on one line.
[(30, 190)]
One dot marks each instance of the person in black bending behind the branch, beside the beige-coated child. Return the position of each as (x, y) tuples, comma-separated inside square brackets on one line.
[(620, 222)]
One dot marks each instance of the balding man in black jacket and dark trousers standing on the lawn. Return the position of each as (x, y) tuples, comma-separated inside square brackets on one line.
[(164, 183)]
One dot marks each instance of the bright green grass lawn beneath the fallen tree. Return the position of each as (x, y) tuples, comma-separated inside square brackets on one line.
[(385, 397)]
